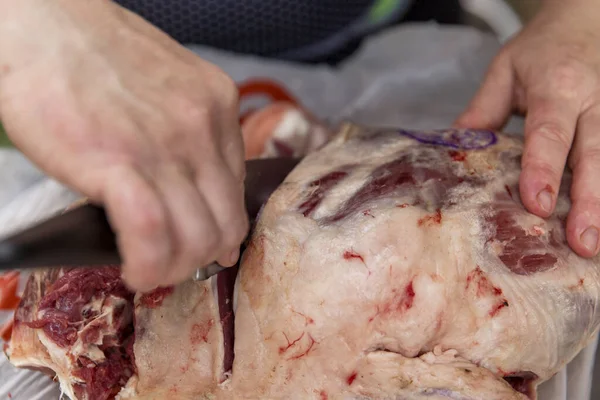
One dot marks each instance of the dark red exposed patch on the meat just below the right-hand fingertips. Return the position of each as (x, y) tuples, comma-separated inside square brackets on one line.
[(522, 253)]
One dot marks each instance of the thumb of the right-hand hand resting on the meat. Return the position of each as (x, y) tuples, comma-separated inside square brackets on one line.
[(491, 106)]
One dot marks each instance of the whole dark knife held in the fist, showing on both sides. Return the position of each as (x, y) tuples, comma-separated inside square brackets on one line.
[(83, 236)]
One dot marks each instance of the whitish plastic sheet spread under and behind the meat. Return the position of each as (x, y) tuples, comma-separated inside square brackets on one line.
[(415, 76)]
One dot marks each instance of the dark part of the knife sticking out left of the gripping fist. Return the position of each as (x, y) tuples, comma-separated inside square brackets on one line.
[(80, 237)]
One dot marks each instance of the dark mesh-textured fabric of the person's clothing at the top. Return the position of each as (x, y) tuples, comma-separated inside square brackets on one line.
[(262, 27)]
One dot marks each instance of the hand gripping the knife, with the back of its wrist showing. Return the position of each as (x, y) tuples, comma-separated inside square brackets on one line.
[(112, 107)]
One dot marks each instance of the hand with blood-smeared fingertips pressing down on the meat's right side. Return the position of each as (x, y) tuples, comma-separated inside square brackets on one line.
[(551, 72)]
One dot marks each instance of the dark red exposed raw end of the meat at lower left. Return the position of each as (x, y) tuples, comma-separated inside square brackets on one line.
[(77, 323)]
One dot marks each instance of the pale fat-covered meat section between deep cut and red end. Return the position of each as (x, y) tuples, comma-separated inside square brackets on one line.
[(178, 340)]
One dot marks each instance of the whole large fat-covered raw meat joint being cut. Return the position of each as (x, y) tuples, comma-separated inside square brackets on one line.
[(391, 264)]
